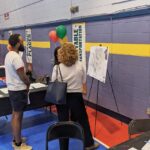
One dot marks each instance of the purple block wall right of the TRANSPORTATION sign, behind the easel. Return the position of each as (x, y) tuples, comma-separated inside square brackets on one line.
[(129, 74)]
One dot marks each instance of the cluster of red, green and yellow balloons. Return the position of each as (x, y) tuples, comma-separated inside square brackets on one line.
[(59, 34)]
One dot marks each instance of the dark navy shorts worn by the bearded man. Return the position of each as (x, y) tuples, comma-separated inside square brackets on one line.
[(18, 100)]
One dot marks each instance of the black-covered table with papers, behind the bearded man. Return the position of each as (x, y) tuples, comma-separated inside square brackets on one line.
[(36, 98)]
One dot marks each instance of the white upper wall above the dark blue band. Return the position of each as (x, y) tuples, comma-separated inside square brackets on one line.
[(30, 12)]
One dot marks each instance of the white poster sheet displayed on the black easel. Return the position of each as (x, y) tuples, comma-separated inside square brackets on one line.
[(97, 67)]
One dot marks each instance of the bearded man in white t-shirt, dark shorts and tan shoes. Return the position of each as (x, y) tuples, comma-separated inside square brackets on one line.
[(18, 87)]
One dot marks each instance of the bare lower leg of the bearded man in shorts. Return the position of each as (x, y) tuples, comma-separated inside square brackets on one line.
[(16, 123)]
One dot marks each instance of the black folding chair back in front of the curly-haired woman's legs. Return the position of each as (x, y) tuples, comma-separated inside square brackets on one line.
[(66, 129)]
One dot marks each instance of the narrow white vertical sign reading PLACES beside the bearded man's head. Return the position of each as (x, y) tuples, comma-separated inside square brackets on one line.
[(28, 45)]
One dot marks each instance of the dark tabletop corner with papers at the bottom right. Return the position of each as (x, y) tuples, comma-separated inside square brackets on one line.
[(137, 142)]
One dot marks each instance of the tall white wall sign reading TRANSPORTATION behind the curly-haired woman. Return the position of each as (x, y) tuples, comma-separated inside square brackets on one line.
[(78, 39)]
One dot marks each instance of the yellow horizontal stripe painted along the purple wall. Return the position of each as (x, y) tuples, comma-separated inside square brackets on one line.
[(142, 50)]
